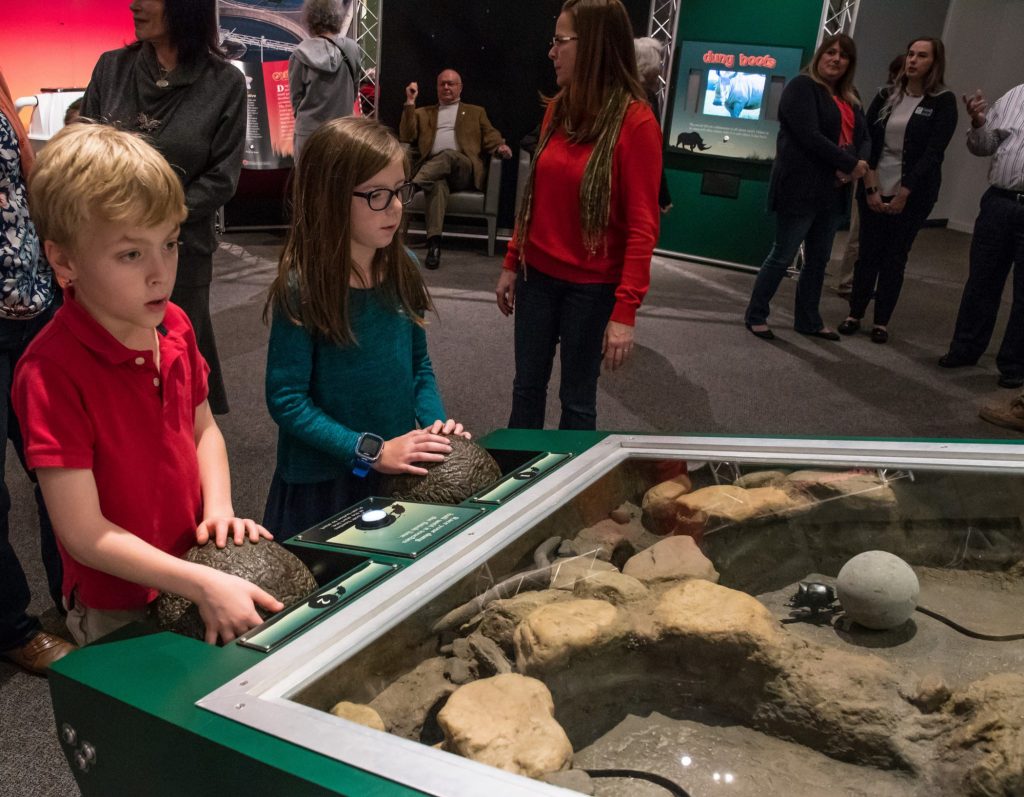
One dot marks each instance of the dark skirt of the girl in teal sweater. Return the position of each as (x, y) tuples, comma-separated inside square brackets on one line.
[(293, 509)]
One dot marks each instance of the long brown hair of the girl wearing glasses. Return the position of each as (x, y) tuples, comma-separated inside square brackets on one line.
[(312, 287)]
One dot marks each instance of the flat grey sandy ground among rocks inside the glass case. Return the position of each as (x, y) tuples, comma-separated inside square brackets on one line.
[(708, 757)]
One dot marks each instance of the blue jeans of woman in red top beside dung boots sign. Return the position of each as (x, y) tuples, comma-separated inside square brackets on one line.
[(817, 231)]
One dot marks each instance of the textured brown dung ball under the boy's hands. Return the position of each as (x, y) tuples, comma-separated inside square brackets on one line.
[(266, 564)]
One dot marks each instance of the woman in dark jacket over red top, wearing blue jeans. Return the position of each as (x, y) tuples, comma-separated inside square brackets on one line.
[(822, 150)]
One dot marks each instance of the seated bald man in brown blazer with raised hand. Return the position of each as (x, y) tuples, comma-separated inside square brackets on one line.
[(451, 139)]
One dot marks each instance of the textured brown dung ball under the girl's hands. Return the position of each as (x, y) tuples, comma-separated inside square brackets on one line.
[(466, 471)]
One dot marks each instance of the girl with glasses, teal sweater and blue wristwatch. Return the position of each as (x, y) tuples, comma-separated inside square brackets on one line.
[(349, 377)]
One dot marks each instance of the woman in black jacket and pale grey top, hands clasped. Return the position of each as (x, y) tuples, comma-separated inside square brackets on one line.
[(911, 122)]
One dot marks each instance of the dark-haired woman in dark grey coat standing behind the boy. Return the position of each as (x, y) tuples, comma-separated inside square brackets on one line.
[(176, 87)]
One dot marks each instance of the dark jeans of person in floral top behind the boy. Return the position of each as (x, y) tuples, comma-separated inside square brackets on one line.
[(17, 627)]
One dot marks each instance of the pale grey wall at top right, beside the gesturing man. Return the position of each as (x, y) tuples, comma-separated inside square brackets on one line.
[(984, 51)]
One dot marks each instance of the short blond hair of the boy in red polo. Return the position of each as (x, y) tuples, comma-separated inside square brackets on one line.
[(94, 173)]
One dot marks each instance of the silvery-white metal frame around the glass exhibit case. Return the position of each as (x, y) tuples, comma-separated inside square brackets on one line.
[(260, 697)]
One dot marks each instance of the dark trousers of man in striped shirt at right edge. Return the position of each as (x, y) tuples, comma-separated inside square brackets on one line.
[(997, 247)]
